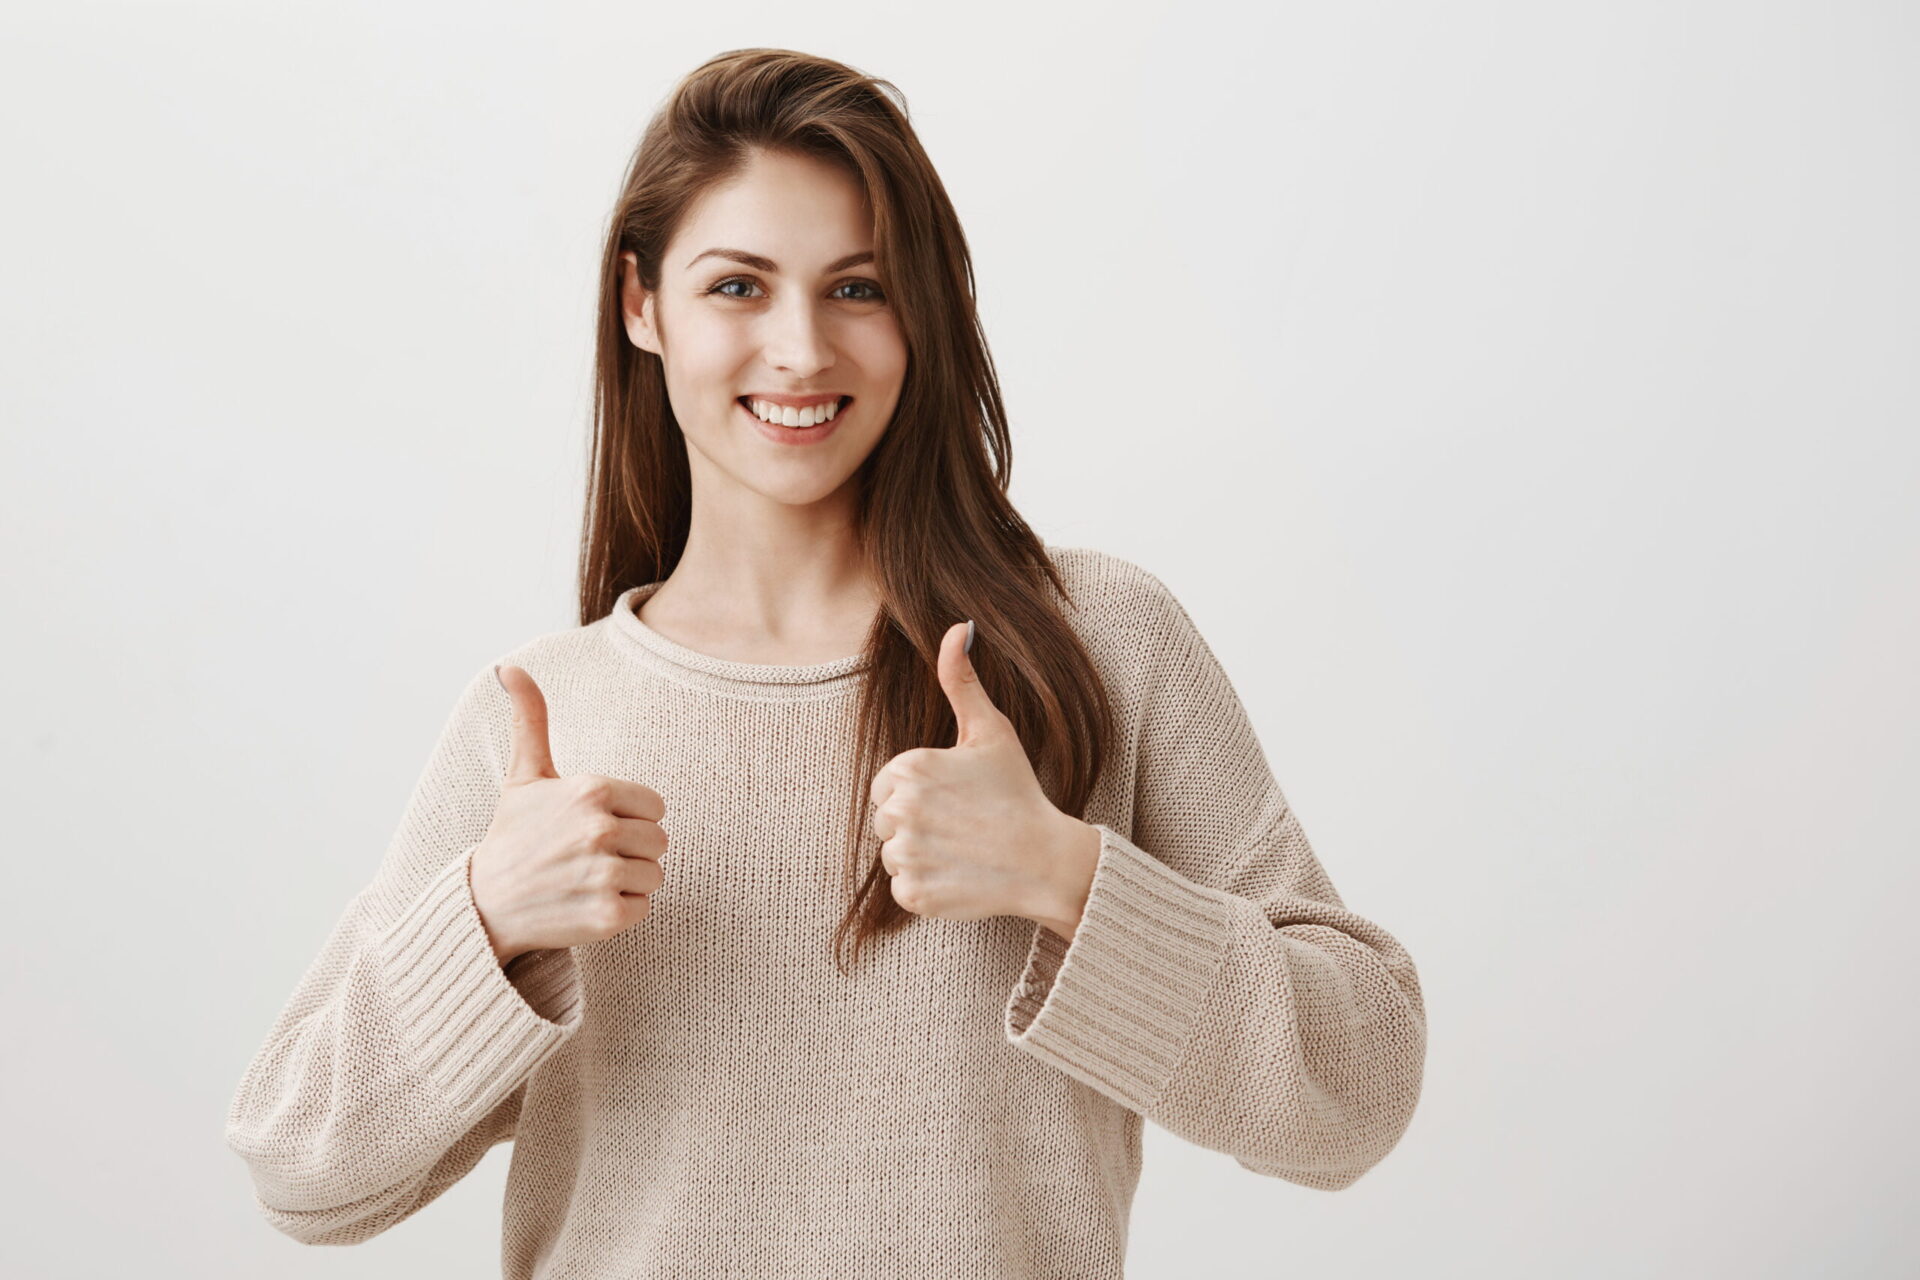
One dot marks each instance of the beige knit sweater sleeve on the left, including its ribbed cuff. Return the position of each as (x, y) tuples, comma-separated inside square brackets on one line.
[(406, 1047)]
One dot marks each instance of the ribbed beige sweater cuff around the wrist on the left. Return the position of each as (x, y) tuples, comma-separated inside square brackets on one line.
[(464, 1022)]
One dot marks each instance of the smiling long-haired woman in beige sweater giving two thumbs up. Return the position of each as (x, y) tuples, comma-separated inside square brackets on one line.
[(848, 888)]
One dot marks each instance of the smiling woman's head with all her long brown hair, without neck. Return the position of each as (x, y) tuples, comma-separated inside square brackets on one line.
[(807, 164)]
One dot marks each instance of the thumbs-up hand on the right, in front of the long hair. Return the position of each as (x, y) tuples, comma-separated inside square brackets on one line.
[(967, 830)]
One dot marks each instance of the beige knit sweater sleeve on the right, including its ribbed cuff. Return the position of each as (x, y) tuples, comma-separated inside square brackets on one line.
[(1216, 984)]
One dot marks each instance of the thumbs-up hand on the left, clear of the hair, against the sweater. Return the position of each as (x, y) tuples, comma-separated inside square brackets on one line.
[(565, 861)]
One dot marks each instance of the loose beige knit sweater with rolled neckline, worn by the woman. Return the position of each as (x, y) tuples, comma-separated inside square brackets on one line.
[(708, 1097)]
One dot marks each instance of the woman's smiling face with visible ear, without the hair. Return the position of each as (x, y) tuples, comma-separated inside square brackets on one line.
[(804, 321)]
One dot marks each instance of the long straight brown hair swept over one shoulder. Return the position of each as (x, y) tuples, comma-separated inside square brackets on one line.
[(940, 536)]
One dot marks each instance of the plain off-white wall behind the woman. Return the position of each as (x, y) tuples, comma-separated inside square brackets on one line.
[(1520, 396)]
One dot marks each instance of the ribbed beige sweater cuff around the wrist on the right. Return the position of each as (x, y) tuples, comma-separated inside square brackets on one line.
[(1116, 1007)]
